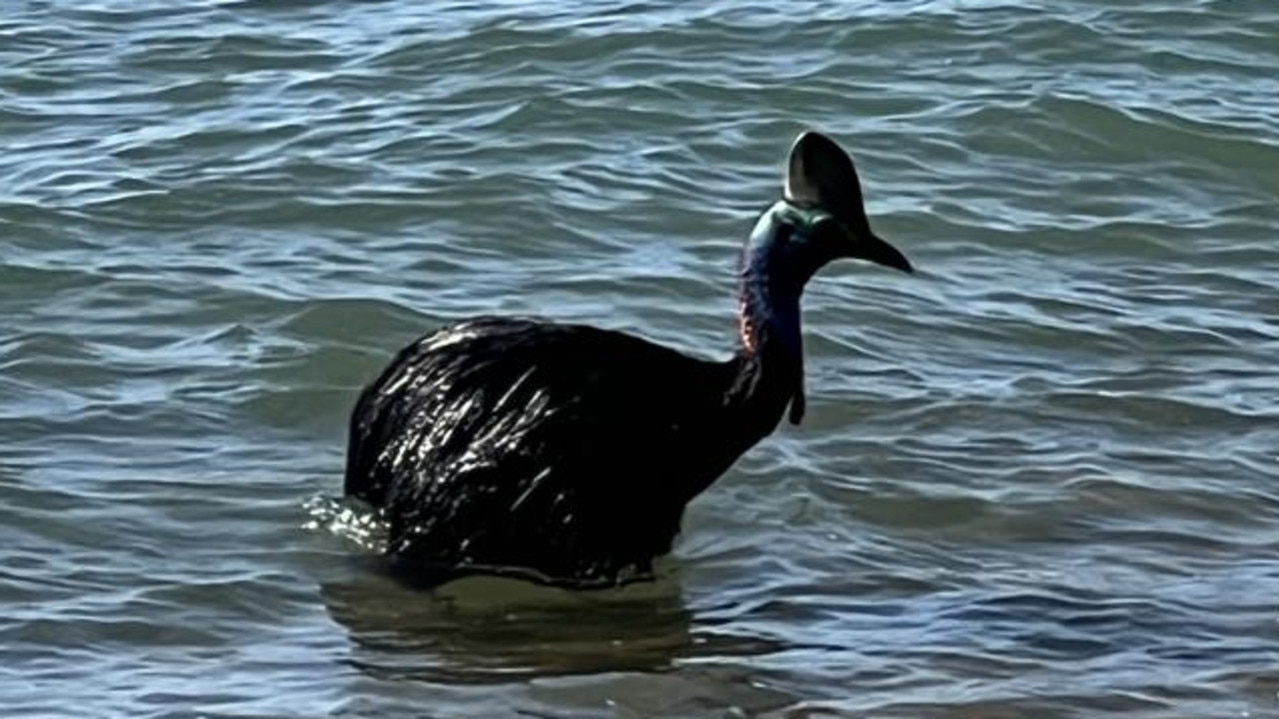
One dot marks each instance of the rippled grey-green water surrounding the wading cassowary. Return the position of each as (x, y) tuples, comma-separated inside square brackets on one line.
[(1038, 479)]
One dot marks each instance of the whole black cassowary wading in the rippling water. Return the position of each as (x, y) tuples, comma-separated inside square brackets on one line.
[(566, 454)]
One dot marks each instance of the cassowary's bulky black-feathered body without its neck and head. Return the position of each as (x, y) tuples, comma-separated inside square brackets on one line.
[(520, 445)]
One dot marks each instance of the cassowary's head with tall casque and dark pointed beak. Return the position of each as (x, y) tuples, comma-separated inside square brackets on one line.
[(820, 217)]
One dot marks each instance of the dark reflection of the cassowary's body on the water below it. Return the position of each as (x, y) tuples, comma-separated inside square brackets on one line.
[(494, 630)]
